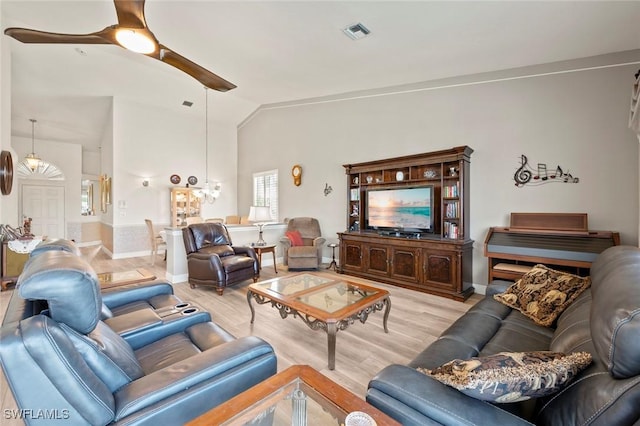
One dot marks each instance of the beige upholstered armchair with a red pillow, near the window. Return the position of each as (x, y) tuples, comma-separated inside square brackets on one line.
[(302, 244)]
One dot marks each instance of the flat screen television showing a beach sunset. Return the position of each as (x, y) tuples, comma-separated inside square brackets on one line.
[(407, 209)]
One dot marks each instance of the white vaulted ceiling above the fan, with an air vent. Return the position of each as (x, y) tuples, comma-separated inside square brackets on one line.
[(278, 51)]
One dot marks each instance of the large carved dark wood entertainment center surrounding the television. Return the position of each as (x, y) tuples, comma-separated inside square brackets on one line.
[(437, 261)]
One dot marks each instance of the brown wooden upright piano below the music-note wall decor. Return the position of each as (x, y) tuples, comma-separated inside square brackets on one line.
[(559, 239)]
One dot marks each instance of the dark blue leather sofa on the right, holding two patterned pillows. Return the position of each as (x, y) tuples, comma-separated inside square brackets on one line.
[(604, 321)]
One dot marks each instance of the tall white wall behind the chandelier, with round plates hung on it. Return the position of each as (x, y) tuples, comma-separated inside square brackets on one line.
[(154, 143)]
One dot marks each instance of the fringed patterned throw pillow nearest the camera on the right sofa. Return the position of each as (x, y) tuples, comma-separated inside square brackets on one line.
[(511, 376)]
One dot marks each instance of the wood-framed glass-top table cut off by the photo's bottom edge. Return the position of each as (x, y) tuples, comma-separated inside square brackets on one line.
[(297, 396)]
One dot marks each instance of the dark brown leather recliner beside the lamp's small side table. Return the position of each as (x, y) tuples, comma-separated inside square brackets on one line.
[(212, 259)]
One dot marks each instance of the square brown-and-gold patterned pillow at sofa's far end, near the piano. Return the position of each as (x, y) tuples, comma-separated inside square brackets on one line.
[(543, 293)]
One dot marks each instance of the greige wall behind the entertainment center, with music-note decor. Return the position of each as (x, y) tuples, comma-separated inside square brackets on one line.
[(577, 120)]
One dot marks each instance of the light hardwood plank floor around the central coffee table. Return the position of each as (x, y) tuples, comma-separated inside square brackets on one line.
[(416, 320)]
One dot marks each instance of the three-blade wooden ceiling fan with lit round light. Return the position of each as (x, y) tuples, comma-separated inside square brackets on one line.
[(131, 32)]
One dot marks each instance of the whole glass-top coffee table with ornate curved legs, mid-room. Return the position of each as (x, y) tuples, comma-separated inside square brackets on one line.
[(323, 303)]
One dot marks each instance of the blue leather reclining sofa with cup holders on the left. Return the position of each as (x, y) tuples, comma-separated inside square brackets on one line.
[(67, 358)]
